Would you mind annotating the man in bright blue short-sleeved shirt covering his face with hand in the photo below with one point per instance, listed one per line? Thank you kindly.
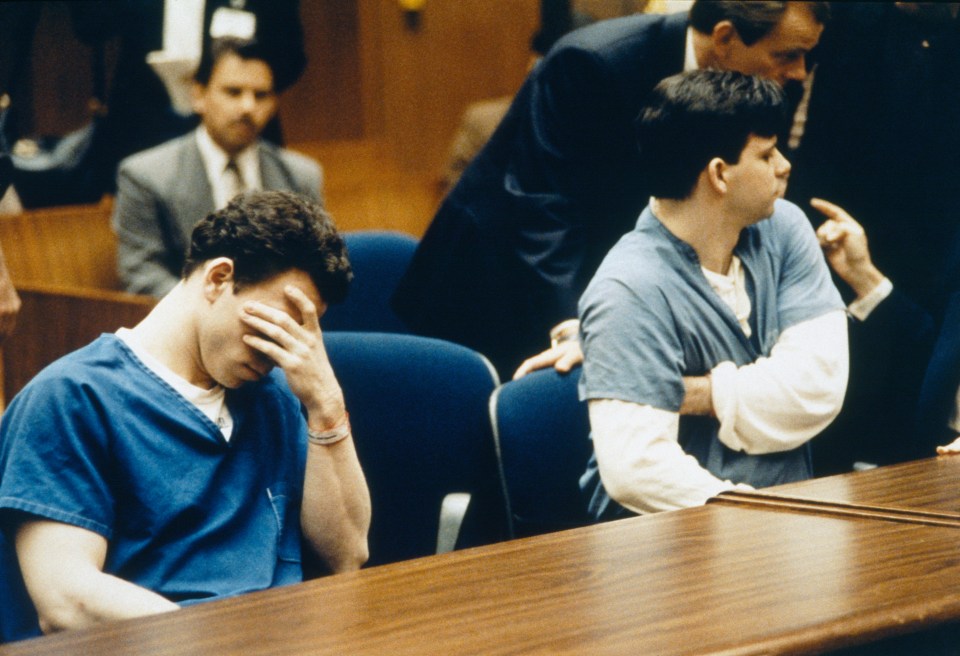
(171, 463)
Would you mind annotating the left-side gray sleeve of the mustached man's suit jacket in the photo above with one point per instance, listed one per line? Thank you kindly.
(142, 259)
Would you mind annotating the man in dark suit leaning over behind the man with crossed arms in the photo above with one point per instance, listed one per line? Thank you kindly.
(516, 241)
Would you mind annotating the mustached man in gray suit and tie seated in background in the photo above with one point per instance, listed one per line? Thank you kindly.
(162, 192)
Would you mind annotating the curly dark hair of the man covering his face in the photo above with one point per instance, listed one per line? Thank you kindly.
(266, 233)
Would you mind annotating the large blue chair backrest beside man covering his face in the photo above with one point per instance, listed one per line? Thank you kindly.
(418, 407)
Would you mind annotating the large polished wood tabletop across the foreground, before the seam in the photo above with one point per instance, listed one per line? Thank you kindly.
(719, 579)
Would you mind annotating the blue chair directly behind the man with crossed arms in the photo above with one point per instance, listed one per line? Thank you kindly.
(542, 432)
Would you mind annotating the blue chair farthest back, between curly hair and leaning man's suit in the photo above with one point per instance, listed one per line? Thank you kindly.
(379, 259)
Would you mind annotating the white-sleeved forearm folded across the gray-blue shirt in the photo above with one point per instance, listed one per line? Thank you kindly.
(779, 402)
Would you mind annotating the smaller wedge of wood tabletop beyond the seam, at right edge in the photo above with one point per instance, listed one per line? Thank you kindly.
(926, 491)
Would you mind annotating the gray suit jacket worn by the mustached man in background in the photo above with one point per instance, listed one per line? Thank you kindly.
(162, 192)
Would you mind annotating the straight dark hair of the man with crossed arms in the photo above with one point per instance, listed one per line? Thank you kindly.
(691, 118)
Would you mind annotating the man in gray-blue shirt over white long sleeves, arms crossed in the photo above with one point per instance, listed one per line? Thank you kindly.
(715, 343)
